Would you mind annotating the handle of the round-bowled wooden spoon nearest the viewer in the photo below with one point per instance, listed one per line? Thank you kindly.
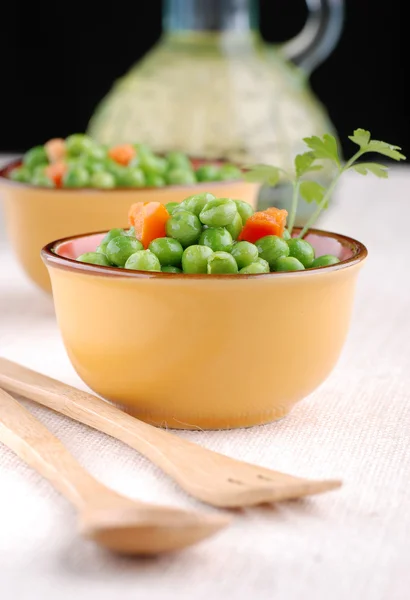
(32, 442)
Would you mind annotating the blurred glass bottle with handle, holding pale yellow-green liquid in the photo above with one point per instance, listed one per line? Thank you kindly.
(213, 88)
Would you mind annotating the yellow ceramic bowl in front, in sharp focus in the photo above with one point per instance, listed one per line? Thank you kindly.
(203, 351)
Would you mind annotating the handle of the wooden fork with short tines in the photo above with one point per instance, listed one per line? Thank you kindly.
(157, 445)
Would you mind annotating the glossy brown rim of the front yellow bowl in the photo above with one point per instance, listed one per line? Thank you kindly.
(52, 259)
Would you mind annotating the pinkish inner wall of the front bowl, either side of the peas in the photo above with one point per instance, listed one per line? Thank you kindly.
(322, 243)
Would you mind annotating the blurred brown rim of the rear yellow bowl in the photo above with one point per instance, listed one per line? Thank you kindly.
(201, 185)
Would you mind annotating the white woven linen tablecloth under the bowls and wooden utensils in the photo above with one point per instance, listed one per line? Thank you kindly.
(347, 544)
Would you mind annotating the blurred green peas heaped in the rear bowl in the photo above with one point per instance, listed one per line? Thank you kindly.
(90, 166)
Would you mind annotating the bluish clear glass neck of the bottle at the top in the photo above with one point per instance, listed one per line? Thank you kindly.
(210, 16)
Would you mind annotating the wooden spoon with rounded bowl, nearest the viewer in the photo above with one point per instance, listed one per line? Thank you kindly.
(114, 521)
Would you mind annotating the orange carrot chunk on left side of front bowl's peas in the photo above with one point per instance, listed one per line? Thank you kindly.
(149, 220)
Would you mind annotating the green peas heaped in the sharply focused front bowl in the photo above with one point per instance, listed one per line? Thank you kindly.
(202, 238)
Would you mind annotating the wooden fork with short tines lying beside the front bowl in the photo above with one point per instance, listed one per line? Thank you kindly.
(206, 475)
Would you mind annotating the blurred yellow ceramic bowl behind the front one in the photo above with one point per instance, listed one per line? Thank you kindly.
(35, 215)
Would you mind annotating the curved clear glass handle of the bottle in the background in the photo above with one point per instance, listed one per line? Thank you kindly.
(319, 36)
